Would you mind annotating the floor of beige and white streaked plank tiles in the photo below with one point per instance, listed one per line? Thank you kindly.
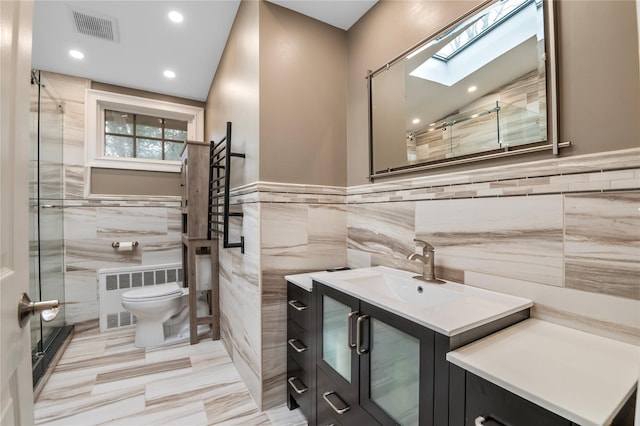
(103, 379)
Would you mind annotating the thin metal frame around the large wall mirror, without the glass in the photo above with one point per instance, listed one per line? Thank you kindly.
(552, 142)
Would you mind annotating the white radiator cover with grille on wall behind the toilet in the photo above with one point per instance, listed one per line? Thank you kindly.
(115, 281)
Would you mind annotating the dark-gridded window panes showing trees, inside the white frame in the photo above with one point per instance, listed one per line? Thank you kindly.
(143, 136)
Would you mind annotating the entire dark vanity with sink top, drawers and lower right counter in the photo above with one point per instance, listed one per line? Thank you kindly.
(376, 346)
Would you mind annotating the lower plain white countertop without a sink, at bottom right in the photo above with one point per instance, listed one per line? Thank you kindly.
(580, 376)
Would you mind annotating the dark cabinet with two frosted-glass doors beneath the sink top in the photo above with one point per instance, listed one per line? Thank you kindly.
(376, 367)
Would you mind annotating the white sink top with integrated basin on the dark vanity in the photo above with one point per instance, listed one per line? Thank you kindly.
(450, 308)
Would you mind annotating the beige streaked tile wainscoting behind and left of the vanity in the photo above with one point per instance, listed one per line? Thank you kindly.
(563, 232)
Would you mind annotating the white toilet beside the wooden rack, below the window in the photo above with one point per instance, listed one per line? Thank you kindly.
(162, 313)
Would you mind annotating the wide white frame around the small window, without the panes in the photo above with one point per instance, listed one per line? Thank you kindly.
(97, 101)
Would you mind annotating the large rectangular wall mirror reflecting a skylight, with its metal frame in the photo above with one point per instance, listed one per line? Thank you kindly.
(483, 87)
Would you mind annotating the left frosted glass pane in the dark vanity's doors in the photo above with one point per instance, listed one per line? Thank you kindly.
(335, 349)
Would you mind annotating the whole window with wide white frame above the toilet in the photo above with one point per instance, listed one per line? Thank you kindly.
(129, 132)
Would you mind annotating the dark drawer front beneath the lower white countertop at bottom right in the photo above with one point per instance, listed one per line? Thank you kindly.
(501, 407)
